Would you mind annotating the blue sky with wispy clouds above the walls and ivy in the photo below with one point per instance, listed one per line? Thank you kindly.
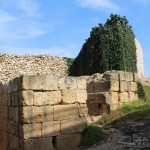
(60, 27)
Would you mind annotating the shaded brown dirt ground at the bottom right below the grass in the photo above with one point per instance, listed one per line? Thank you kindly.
(124, 128)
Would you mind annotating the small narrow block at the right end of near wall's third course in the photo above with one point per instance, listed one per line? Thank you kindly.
(83, 110)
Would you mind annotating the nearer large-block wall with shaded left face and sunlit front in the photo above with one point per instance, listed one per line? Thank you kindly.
(43, 112)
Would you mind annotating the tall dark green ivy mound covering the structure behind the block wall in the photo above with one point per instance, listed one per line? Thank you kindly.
(110, 47)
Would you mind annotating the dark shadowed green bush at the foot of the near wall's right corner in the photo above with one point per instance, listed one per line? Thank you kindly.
(94, 135)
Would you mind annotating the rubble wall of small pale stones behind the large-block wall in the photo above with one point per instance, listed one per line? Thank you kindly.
(14, 65)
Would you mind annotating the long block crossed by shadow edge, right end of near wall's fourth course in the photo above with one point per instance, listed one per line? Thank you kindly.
(73, 125)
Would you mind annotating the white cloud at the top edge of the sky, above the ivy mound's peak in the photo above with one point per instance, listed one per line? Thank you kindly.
(98, 4)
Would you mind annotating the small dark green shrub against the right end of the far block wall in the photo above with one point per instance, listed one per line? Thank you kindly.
(140, 91)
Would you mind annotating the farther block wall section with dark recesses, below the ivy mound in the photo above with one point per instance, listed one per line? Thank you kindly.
(108, 91)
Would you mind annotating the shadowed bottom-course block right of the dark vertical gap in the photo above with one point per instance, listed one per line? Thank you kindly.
(68, 142)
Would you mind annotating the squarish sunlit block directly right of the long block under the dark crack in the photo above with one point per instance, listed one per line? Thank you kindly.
(69, 96)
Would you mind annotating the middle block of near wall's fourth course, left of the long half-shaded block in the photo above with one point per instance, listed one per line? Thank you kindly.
(50, 128)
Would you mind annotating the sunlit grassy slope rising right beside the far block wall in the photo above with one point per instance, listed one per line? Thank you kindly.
(136, 110)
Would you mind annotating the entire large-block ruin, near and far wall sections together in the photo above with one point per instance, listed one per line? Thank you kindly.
(50, 112)
